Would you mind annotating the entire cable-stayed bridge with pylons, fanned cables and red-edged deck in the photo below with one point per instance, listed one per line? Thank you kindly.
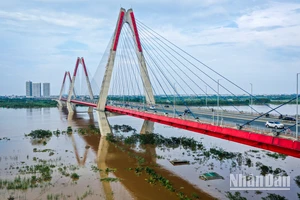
(149, 77)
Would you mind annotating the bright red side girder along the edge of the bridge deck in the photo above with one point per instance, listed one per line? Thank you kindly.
(277, 144)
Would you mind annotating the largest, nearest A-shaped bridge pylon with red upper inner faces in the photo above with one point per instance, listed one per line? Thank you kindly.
(125, 17)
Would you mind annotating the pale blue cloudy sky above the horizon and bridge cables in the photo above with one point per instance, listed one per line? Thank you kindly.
(250, 41)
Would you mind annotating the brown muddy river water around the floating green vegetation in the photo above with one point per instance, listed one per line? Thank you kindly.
(82, 154)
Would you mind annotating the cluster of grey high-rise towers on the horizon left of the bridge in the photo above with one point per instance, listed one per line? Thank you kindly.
(35, 89)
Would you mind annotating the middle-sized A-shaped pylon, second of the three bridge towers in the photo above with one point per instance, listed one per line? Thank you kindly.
(71, 89)
